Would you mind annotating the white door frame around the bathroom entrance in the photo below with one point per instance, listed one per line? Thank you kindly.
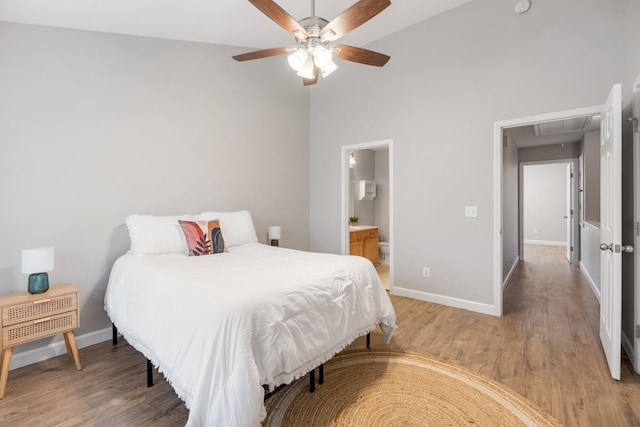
(346, 150)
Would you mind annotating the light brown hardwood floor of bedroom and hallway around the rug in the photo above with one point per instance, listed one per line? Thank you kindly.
(545, 347)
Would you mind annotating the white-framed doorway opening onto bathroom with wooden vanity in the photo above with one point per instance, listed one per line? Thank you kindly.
(367, 205)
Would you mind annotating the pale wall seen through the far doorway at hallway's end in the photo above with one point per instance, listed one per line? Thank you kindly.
(545, 203)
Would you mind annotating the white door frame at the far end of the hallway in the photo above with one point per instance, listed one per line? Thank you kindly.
(575, 229)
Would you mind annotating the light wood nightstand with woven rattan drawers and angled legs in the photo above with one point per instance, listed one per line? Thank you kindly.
(27, 317)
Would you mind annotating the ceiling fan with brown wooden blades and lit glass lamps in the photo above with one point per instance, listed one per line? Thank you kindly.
(315, 52)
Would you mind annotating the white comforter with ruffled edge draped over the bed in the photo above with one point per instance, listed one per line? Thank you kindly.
(219, 326)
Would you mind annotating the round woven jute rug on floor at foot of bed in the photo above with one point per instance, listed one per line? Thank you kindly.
(386, 388)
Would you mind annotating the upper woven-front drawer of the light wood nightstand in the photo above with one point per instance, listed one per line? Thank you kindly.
(19, 313)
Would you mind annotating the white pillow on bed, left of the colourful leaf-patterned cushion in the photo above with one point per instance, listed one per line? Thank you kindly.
(152, 235)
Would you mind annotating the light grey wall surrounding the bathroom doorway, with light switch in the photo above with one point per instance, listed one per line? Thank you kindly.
(449, 79)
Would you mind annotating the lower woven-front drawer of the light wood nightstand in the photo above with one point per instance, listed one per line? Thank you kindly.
(43, 327)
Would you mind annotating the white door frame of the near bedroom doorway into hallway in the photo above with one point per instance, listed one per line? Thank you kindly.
(498, 134)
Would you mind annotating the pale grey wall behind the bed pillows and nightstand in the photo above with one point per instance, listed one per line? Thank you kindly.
(96, 126)
